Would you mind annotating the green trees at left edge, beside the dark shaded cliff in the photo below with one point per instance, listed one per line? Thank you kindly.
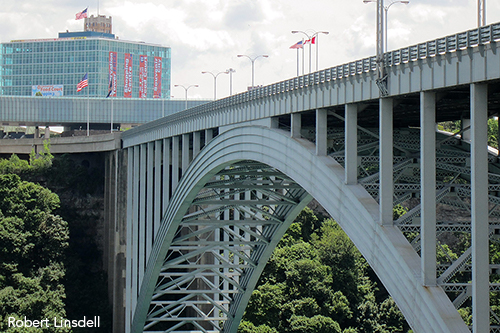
(32, 245)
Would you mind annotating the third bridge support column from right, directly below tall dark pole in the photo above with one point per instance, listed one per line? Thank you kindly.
(386, 160)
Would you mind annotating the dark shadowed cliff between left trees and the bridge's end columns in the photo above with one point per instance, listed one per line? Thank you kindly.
(78, 179)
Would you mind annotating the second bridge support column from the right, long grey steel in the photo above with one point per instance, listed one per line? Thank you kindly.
(428, 187)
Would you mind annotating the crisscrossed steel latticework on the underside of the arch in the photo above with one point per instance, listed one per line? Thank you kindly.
(219, 244)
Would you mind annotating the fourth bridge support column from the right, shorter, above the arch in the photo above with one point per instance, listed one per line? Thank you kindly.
(351, 144)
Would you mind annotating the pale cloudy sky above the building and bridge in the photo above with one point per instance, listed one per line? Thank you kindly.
(207, 35)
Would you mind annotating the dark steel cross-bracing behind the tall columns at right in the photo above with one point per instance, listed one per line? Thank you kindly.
(453, 192)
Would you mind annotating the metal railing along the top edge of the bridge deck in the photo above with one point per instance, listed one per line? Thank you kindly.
(440, 46)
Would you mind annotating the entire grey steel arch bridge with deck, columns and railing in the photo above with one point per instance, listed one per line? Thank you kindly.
(211, 190)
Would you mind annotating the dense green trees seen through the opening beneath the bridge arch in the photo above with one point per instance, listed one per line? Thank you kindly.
(317, 281)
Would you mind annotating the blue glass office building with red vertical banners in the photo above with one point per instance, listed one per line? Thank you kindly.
(64, 61)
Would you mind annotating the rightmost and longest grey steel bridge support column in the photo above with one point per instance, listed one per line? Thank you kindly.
(479, 209)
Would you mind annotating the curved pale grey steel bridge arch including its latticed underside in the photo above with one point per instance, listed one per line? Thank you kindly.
(427, 309)
